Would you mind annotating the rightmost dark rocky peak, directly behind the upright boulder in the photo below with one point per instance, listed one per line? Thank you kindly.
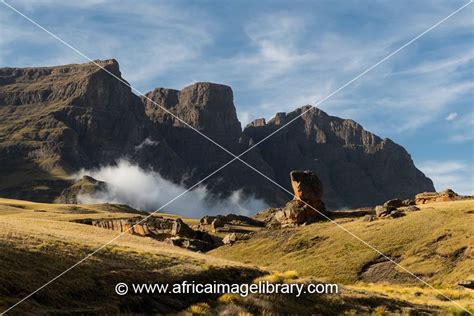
(356, 167)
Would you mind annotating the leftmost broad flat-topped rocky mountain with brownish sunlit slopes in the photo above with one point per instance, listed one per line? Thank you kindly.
(56, 120)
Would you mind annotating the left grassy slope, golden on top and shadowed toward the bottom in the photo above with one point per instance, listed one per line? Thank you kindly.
(37, 246)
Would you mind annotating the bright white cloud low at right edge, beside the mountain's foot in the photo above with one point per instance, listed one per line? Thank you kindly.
(452, 174)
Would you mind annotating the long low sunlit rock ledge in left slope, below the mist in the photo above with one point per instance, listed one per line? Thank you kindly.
(173, 231)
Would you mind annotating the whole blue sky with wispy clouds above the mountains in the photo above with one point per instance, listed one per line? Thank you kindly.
(279, 55)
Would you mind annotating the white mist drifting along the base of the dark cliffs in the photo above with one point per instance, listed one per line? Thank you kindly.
(129, 184)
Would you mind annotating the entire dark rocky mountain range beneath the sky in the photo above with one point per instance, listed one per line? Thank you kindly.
(56, 120)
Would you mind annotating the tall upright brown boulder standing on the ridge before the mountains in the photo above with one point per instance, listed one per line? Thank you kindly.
(306, 205)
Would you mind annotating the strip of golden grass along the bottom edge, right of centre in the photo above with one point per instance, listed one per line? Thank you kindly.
(352, 300)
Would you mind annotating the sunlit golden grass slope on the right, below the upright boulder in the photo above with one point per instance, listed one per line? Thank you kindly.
(435, 243)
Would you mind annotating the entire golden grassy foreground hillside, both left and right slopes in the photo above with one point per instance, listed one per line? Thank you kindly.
(38, 241)
